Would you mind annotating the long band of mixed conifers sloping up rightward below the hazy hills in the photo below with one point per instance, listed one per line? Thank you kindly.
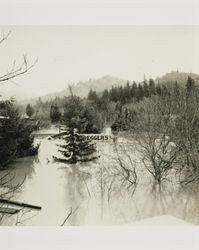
(110, 108)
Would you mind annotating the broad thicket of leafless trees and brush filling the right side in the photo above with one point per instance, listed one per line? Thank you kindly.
(166, 127)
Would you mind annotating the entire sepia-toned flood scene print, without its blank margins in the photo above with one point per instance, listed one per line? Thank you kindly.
(99, 125)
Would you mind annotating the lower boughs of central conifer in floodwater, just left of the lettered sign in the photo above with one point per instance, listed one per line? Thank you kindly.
(76, 148)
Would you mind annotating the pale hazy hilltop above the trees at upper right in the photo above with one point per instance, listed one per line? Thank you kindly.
(176, 76)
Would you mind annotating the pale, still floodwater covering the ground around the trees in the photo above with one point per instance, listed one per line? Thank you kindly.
(94, 193)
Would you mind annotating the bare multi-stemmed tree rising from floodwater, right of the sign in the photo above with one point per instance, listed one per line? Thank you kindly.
(154, 136)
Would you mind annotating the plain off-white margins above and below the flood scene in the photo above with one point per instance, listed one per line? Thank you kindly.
(96, 12)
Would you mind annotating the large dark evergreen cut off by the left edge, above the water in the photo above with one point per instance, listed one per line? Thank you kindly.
(15, 136)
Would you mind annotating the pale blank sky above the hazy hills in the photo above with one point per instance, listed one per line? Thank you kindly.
(67, 54)
